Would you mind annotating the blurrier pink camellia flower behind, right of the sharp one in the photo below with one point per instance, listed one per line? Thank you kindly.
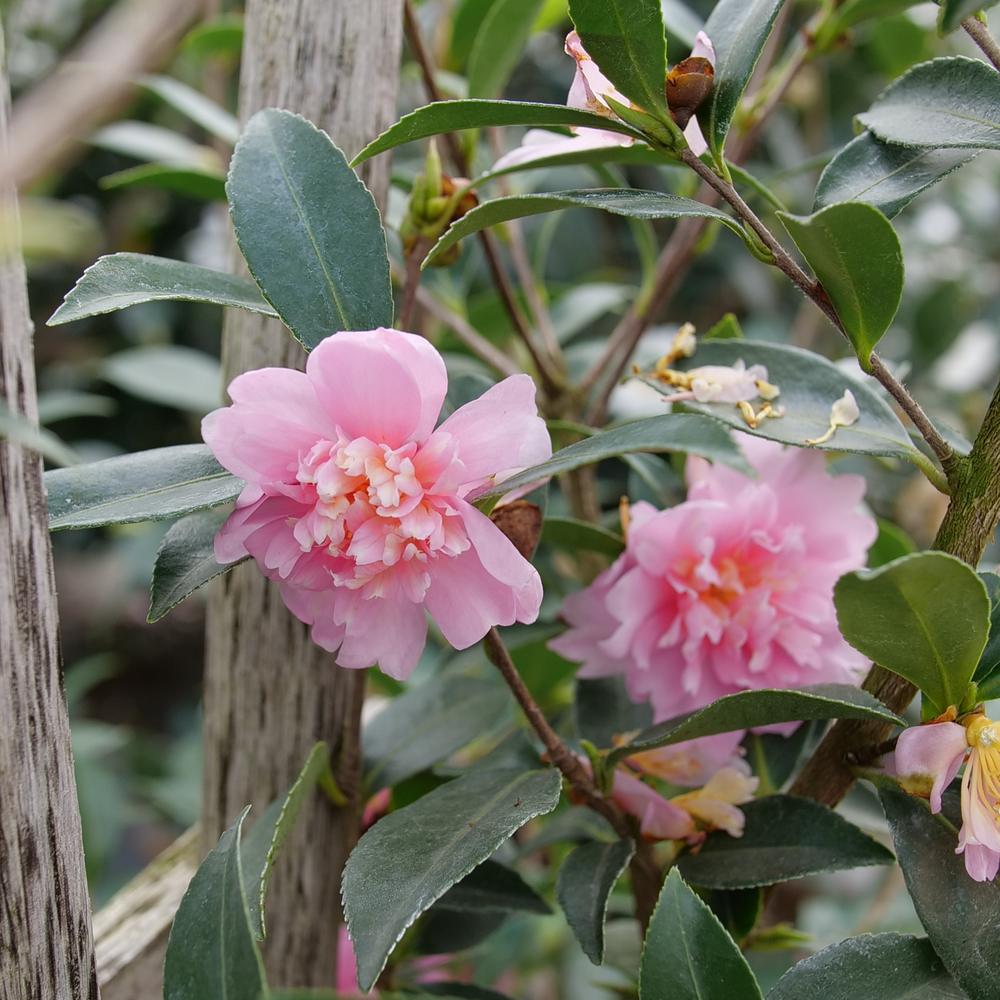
(730, 590)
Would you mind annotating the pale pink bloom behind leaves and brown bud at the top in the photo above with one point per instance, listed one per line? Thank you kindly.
(588, 92)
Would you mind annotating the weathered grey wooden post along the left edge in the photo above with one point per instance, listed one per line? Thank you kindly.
(46, 943)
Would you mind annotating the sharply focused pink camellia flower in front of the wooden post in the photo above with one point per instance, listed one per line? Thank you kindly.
(360, 507)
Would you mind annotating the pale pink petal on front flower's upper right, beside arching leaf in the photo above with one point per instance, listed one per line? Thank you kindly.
(485, 451)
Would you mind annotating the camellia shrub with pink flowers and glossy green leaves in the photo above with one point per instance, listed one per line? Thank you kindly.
(404, 509)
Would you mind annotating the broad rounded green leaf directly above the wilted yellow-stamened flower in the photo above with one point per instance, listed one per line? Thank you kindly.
(926, 617)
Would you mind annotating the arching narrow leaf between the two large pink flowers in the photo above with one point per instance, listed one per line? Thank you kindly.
(672, 432)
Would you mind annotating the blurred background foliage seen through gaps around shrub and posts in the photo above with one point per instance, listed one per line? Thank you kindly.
(151, 182)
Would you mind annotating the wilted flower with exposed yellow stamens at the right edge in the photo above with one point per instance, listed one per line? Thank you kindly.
(928, 758)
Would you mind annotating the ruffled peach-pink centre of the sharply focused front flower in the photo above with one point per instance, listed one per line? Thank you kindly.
(372, 511)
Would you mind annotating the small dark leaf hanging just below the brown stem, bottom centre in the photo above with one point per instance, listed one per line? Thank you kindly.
(583, 888)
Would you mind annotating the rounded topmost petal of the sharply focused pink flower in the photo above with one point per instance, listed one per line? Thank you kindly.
(383, 385)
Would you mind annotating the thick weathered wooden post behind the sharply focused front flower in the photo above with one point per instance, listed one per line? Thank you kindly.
(269, 692)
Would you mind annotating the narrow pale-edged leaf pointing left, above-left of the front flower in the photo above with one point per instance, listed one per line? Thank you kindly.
(126, 279)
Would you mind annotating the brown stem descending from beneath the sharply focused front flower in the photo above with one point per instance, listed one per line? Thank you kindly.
(646, 875)
